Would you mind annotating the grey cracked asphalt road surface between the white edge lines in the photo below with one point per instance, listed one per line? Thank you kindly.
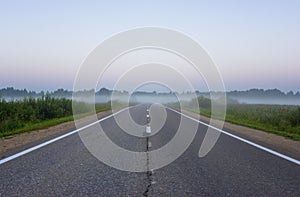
(232, 167)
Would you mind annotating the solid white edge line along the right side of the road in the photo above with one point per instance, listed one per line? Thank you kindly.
(243, 140)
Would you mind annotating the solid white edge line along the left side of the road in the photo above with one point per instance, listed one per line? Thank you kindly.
(56, 139)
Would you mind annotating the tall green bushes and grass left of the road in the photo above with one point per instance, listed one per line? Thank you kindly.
(38, 113)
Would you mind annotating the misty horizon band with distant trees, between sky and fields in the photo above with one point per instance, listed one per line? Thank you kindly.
(252, 96)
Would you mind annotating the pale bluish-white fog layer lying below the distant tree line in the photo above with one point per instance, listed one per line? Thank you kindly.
(243, 97)
